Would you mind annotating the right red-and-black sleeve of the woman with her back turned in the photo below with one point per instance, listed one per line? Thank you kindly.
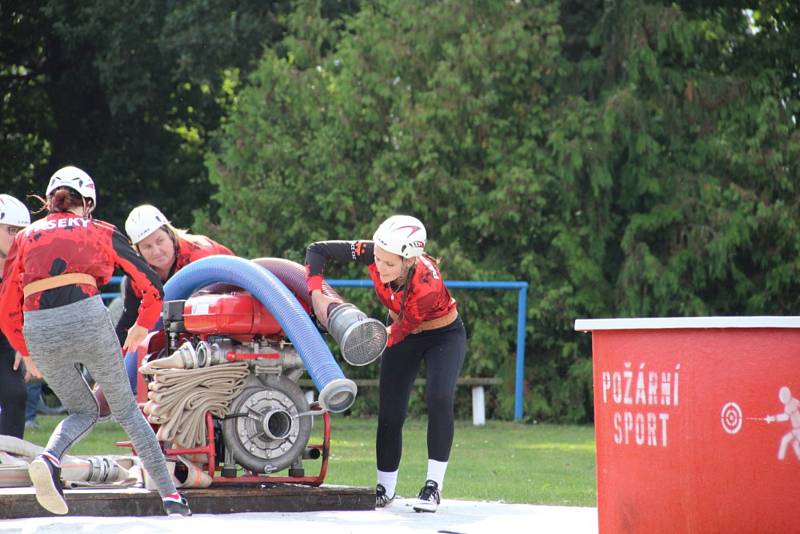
(146, 281)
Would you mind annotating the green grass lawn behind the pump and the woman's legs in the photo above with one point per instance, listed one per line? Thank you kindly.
(502, 461)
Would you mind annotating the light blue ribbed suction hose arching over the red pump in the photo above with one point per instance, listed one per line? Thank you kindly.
(336, 393)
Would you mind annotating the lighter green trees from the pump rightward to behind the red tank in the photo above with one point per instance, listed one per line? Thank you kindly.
(626, 159)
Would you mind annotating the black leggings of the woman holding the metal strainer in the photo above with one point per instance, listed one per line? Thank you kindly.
(443, 351)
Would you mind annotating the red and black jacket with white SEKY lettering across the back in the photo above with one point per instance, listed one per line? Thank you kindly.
(64, 243)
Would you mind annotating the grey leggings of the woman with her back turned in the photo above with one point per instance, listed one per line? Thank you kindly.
(59, 339)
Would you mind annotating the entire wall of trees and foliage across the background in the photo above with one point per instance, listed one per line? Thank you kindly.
(625, 158)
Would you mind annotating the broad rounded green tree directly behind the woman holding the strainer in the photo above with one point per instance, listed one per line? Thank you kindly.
(431, 109)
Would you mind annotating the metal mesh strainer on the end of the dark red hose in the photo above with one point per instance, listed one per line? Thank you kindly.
(360, 338)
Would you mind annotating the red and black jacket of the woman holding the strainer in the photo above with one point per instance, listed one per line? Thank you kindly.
(427, 298)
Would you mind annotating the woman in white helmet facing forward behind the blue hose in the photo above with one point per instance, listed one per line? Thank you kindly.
(166, 250)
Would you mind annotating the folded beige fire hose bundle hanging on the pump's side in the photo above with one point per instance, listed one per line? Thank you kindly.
(180, 398)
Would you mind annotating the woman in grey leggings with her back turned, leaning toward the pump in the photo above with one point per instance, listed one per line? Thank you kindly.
(51, 311)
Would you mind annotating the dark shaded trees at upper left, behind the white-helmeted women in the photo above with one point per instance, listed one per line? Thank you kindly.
(128, 91)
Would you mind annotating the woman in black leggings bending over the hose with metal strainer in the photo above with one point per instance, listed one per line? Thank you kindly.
(425, 326)
